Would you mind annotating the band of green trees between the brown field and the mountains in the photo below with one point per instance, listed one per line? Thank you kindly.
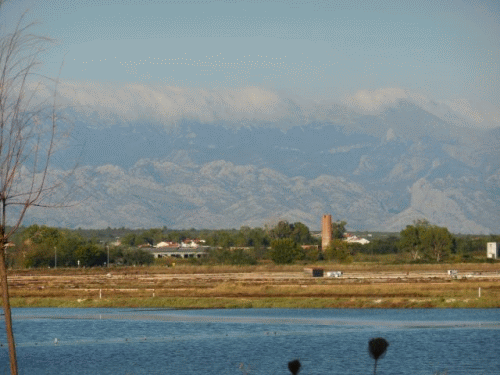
(285, 243)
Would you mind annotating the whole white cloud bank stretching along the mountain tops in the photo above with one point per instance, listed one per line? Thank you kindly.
(107, 103)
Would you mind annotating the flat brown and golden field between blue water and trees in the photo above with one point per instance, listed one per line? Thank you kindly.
(270, 286)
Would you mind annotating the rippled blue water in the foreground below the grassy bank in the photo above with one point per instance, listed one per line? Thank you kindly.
(253, 341)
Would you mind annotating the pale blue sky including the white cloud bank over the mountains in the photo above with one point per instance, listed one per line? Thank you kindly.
(175, 59)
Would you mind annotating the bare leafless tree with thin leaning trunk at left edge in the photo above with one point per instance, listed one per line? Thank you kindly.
(28, 130)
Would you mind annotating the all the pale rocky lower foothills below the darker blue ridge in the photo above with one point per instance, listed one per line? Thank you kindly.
(220, 194)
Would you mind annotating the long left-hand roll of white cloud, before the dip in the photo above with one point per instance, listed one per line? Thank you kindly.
(169, 104)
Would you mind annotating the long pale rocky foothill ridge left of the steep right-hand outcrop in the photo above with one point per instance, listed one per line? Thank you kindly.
(217, 194)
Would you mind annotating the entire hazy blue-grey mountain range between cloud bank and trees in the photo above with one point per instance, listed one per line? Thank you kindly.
(376, 170)
